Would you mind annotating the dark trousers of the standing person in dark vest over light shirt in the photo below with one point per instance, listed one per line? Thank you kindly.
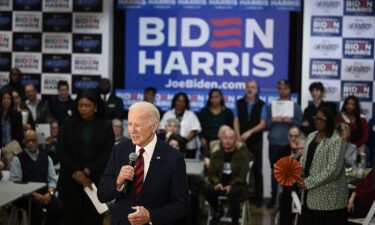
(256, 149)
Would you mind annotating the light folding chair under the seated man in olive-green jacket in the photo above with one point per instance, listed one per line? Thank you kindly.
(245, 207)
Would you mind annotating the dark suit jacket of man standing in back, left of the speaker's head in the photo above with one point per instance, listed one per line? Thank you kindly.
(114, 107)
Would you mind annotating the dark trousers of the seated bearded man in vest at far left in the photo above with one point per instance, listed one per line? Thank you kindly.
(54, 211)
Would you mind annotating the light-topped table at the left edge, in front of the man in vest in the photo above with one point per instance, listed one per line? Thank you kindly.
(10, 192)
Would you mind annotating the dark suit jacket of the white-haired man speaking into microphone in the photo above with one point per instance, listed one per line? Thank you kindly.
(165, 189)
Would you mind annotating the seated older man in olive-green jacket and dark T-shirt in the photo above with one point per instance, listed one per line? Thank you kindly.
(227, 176)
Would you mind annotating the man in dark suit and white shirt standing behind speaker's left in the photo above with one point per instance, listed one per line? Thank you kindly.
(113, 105)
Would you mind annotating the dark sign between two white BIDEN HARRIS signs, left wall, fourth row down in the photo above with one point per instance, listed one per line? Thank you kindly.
(53, 63)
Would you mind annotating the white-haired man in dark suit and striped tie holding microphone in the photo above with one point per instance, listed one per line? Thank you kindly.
(159, 193)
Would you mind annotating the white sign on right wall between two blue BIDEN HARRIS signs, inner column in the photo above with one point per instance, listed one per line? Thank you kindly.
(329, 47)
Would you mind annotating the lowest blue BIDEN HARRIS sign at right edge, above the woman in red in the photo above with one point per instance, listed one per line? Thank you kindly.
(360, 89)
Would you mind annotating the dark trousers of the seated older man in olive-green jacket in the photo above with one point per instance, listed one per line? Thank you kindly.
(233, 198)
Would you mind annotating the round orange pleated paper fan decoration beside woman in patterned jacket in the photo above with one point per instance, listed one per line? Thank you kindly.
(287, 171)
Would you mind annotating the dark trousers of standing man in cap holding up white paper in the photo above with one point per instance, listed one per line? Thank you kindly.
(275, 153)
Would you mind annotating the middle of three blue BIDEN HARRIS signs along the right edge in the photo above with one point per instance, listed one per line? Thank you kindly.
(358, 48)
